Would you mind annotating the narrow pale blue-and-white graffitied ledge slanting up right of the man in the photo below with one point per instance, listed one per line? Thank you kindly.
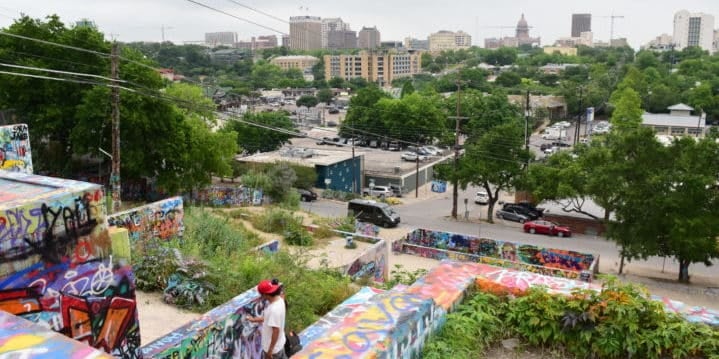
(321, 327)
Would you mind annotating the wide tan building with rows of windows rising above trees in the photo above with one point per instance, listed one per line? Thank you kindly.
(381, 68)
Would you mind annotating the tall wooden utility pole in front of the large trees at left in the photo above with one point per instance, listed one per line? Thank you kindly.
(115, 104)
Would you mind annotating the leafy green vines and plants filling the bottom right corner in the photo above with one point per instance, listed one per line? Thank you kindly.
(618, 322)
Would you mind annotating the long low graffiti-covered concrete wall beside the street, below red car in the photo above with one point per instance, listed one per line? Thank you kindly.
(549, 261)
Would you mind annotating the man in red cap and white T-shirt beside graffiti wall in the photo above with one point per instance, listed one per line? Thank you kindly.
(272, 319)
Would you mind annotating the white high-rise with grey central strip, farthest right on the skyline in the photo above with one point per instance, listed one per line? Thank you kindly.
(693, 29)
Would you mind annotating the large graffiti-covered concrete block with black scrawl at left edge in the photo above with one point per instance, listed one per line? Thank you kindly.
(56, 263)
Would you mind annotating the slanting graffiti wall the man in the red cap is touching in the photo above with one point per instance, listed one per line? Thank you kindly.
(223, 332)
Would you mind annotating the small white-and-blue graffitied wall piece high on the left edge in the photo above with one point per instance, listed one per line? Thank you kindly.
(15, 155)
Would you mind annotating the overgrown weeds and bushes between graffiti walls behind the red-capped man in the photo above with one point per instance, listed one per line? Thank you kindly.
(215, 261)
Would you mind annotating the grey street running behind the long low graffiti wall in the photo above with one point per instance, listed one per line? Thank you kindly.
(434, 213)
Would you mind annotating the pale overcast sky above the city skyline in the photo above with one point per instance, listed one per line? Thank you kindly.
(142, 20)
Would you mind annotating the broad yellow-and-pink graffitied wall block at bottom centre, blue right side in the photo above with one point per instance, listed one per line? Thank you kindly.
(392, 325)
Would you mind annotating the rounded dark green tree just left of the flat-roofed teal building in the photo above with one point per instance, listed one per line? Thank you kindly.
(254, 139)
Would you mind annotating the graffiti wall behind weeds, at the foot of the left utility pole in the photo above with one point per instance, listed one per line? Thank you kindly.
(159, 220)
